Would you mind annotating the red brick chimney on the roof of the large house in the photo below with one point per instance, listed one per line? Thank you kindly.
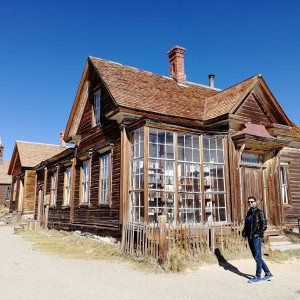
(176, 60)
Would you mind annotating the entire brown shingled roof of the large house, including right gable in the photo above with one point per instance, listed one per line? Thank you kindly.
(142, 91)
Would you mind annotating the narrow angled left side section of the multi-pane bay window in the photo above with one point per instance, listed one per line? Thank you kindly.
(137, 177)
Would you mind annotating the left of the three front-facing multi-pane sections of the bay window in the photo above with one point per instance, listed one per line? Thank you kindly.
(161, 177)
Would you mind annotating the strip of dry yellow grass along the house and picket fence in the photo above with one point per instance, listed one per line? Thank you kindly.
(72, 245)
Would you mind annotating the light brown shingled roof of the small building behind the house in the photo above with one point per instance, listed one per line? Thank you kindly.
(31, 154)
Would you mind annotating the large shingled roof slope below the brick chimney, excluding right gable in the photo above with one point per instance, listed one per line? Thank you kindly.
(136, 89)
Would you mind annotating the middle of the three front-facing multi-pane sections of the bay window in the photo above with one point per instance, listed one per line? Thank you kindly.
(189, 187)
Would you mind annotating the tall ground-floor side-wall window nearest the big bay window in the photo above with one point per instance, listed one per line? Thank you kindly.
(108, 179)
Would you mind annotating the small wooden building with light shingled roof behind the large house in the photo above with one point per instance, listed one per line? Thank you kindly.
(26, 155)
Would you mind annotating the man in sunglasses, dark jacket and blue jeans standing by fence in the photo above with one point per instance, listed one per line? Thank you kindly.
(255, 225)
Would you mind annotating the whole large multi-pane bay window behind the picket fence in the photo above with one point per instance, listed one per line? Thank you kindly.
(185, 173)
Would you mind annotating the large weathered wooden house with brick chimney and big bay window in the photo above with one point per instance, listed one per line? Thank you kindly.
(147, 145)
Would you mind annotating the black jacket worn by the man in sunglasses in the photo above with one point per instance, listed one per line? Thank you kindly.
(258, 224)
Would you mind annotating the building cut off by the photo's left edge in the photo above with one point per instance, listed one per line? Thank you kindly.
(5, 179)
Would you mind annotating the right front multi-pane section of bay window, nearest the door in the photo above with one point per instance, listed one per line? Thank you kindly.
(214, 179)
